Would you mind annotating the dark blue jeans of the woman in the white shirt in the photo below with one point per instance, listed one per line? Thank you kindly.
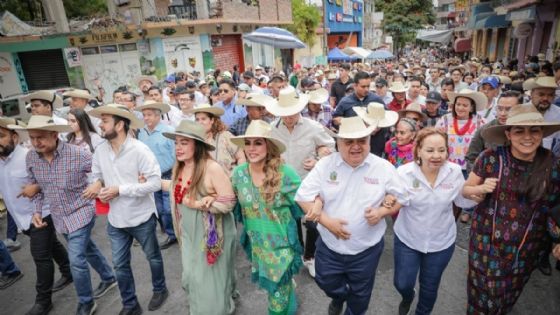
(431, 266)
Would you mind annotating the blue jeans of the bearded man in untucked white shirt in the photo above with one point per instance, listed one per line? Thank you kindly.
(121, 241)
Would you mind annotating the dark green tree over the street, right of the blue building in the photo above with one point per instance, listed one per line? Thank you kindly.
(402, 18)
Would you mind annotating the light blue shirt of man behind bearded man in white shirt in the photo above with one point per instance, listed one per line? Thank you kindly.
(162, 147)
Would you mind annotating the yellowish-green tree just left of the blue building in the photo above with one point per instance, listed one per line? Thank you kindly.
(306, 18)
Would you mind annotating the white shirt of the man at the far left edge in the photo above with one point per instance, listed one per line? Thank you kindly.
(13, 177)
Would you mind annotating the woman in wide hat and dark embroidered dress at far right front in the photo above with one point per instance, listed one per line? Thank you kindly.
(509, 234)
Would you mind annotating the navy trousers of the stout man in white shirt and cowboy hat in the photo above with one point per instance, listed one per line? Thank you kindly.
(347, 278)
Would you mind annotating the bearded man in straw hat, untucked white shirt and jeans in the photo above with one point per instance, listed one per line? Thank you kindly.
(117, 165)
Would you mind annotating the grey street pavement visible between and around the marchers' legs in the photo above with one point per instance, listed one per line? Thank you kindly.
(541, 295)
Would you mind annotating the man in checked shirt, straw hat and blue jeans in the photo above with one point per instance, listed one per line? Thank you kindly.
(61, 171)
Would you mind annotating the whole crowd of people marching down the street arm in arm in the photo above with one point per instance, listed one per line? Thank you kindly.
(258, 158)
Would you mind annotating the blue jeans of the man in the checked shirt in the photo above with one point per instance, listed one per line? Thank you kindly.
(81, 251)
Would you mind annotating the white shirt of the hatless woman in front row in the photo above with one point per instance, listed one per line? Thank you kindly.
(427, 223)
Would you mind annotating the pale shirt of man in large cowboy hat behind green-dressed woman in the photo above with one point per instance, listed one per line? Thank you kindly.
(302, 142)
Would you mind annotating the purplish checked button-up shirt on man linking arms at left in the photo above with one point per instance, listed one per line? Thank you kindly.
(62, 182)
